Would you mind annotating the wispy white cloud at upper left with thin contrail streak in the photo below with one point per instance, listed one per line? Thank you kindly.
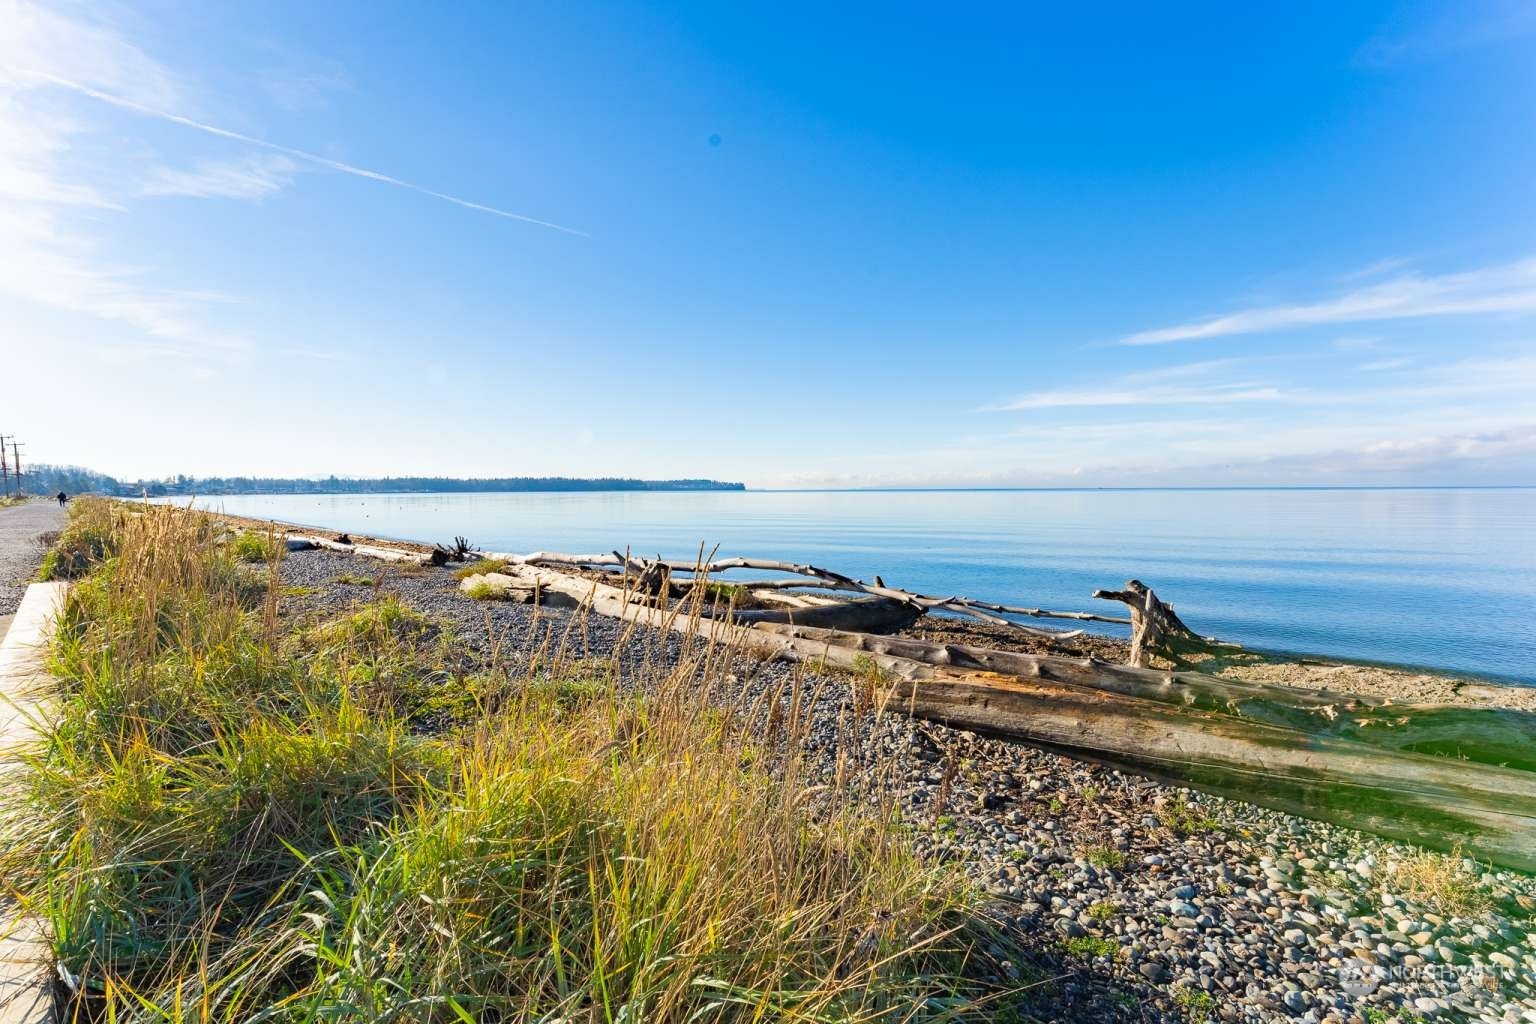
(55, 191)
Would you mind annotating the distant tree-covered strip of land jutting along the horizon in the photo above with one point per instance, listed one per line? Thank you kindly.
(48, 480)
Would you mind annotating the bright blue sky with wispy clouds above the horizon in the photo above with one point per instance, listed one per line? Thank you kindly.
(786, 245)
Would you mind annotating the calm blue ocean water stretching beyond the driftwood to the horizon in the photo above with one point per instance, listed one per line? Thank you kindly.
(1425, 578)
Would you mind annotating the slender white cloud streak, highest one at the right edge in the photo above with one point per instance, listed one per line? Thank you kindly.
(1501, 289)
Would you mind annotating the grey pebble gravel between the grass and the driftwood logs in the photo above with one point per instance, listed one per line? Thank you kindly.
(1140, 900)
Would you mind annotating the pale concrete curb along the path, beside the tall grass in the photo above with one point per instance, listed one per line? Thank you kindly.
(27, 988)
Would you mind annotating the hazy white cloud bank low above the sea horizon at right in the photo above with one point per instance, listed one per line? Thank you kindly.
(1454, 421)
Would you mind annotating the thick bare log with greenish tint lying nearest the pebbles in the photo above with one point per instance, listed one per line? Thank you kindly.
(1435, 802)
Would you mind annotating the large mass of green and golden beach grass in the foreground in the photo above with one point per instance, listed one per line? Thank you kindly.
(233, 821)
